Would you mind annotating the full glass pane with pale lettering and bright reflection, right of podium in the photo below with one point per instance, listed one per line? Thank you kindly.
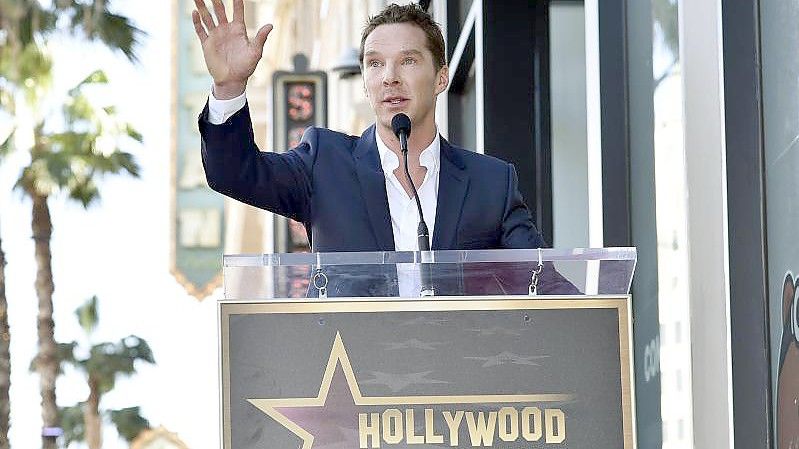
(658, 189)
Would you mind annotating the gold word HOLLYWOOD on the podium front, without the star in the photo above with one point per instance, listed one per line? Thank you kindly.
(394, 426)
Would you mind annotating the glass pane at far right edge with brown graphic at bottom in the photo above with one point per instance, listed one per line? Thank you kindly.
(780, 84)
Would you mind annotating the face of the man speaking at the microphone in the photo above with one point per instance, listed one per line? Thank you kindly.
(399, 74)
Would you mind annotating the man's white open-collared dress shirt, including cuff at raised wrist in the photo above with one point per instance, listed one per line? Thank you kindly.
(402, 207)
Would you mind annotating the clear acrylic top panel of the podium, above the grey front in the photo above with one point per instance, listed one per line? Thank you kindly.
(601, 271)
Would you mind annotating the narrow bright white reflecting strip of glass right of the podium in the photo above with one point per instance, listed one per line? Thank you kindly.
(671, 211)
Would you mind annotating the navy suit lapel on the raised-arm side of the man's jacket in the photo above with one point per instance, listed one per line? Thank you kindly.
(373, 189)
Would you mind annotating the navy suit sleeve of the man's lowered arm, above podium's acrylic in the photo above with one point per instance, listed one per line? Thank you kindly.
(518, 230)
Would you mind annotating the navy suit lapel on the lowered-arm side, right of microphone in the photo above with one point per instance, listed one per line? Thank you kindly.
(452, 186)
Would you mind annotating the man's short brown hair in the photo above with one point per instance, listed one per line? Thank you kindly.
(411, 13)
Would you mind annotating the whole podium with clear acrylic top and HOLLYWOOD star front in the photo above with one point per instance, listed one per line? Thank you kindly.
(515, 349)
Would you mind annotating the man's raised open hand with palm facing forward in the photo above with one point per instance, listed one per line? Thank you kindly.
(230, 55)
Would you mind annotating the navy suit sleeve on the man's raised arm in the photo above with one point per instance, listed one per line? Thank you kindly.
(279, 183)
